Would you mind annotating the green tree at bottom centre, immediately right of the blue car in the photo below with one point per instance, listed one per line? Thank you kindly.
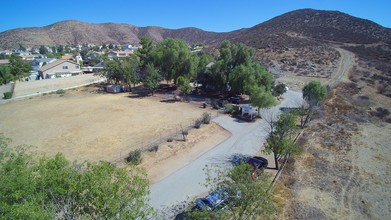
(248, 198)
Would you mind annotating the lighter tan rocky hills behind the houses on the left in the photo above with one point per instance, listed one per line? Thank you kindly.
(76, 32)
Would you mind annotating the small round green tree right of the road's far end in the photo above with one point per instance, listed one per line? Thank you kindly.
(261, 98)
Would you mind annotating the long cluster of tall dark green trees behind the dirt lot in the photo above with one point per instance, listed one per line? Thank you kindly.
(234, 71)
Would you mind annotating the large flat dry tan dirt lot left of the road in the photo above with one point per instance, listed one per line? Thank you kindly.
(84, 125)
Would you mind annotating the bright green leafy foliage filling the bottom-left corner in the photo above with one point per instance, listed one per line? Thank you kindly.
(55, 188)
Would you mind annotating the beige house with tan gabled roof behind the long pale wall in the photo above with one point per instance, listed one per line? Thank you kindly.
(59, 68)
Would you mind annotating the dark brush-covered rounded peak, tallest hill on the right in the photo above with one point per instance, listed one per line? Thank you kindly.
(308, 27)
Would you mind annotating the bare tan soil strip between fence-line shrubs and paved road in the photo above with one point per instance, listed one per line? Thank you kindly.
(172, 156)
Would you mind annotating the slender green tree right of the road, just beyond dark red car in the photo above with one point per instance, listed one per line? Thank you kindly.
(281, 138)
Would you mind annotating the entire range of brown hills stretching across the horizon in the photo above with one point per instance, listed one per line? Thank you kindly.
(296, 28)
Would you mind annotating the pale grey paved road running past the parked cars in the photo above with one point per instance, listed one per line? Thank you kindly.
(246, 138)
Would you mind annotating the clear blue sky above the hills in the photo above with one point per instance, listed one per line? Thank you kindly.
(211, 15)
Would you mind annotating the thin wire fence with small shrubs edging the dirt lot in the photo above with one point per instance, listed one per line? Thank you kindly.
(174, 134)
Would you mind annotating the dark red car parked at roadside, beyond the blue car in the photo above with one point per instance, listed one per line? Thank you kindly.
(258, 163)
